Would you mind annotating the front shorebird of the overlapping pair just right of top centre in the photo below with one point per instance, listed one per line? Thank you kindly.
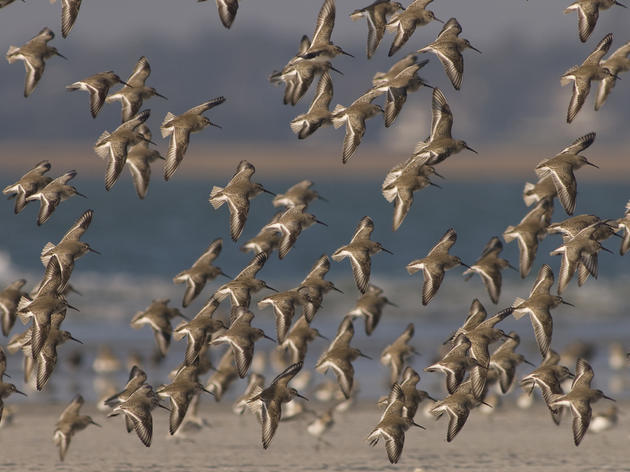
(401, 78)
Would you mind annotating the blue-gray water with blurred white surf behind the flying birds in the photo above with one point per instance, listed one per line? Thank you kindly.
(145, 243)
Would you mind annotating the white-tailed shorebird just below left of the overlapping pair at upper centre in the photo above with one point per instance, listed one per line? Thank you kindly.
(354, 117)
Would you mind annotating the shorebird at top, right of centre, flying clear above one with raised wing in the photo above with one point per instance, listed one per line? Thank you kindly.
(448, 47)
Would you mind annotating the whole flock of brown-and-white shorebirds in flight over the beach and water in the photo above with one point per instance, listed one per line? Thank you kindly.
(469, 365)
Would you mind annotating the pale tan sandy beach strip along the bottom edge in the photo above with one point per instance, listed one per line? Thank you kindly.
(508, 440)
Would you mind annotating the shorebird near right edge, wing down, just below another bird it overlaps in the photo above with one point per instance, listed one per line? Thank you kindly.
(581, 249)
